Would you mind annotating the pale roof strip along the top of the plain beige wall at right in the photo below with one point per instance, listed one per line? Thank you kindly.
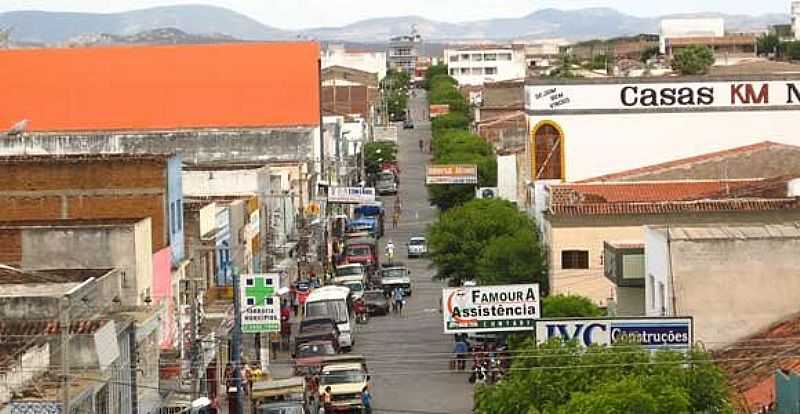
(731, 232)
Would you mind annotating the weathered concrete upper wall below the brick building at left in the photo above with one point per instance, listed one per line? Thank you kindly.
(124, 247)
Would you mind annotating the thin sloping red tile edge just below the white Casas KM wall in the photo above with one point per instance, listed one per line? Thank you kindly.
(688, 162)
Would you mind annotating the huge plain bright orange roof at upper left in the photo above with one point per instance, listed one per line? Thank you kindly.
(161, 87)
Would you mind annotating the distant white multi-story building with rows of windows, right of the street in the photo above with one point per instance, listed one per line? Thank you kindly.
(476, 65)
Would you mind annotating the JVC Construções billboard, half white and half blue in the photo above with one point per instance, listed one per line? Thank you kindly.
(651, 333)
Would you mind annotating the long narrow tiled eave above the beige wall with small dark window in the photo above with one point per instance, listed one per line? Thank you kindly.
(701, 206)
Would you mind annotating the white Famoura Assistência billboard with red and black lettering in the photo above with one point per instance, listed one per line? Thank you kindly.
(490, 308)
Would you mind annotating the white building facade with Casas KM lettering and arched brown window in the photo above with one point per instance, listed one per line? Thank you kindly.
(587, 128)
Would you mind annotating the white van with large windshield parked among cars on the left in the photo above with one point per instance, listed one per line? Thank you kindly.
(334, 302)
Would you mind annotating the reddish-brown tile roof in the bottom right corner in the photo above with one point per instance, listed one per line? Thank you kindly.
(752, 362)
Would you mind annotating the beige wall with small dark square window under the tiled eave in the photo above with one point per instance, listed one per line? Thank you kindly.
(588, 233)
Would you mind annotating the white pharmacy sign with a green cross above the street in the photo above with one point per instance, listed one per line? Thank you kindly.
(260, 303)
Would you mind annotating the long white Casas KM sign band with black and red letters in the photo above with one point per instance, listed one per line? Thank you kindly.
(711, 95)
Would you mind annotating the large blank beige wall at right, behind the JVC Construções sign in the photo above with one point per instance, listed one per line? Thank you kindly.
(735, 288)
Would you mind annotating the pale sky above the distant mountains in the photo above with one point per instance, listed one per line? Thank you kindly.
(293, 14)
